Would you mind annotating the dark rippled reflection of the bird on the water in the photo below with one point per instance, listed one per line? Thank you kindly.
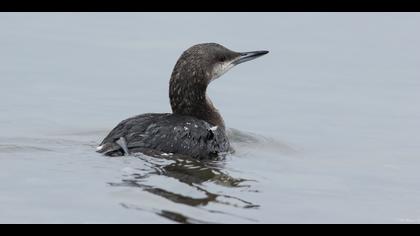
(191, 172)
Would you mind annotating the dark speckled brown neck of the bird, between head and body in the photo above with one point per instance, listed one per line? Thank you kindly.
(192, 100)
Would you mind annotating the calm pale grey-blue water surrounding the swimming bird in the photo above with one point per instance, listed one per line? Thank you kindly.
(326, 125)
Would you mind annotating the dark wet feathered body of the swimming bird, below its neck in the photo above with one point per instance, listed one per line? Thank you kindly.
(167, 133)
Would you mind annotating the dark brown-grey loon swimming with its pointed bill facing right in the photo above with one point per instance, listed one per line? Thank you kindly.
(195, 127)
